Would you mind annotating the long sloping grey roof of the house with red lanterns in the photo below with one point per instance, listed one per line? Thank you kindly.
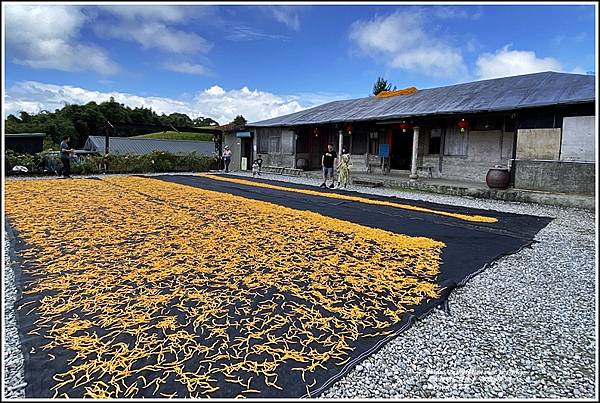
(507, 93)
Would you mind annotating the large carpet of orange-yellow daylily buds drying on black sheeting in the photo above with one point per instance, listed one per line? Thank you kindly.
(179, 271)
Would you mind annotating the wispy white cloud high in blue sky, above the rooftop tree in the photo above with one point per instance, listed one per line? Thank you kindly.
(401, 40)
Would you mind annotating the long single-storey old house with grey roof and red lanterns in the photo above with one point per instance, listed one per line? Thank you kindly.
(540, 125)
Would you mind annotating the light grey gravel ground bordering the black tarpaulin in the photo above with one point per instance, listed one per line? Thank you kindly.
(523, 328)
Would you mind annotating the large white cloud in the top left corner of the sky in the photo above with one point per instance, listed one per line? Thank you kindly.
(46, 37)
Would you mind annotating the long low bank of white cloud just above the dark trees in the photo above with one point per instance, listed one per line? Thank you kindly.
(215, 102)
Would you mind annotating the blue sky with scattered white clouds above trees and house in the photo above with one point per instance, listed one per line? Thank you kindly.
(263, 61)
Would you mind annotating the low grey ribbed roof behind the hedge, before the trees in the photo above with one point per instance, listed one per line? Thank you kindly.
(133, 146)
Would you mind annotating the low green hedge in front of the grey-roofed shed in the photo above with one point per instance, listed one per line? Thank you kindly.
(156, 161)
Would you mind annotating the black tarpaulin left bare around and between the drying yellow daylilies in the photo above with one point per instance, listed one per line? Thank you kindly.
(470, 247)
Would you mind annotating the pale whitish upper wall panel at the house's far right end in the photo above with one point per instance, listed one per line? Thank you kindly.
(578, 139)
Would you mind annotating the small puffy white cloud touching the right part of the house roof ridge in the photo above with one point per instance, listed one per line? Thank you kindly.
(506, 62)
